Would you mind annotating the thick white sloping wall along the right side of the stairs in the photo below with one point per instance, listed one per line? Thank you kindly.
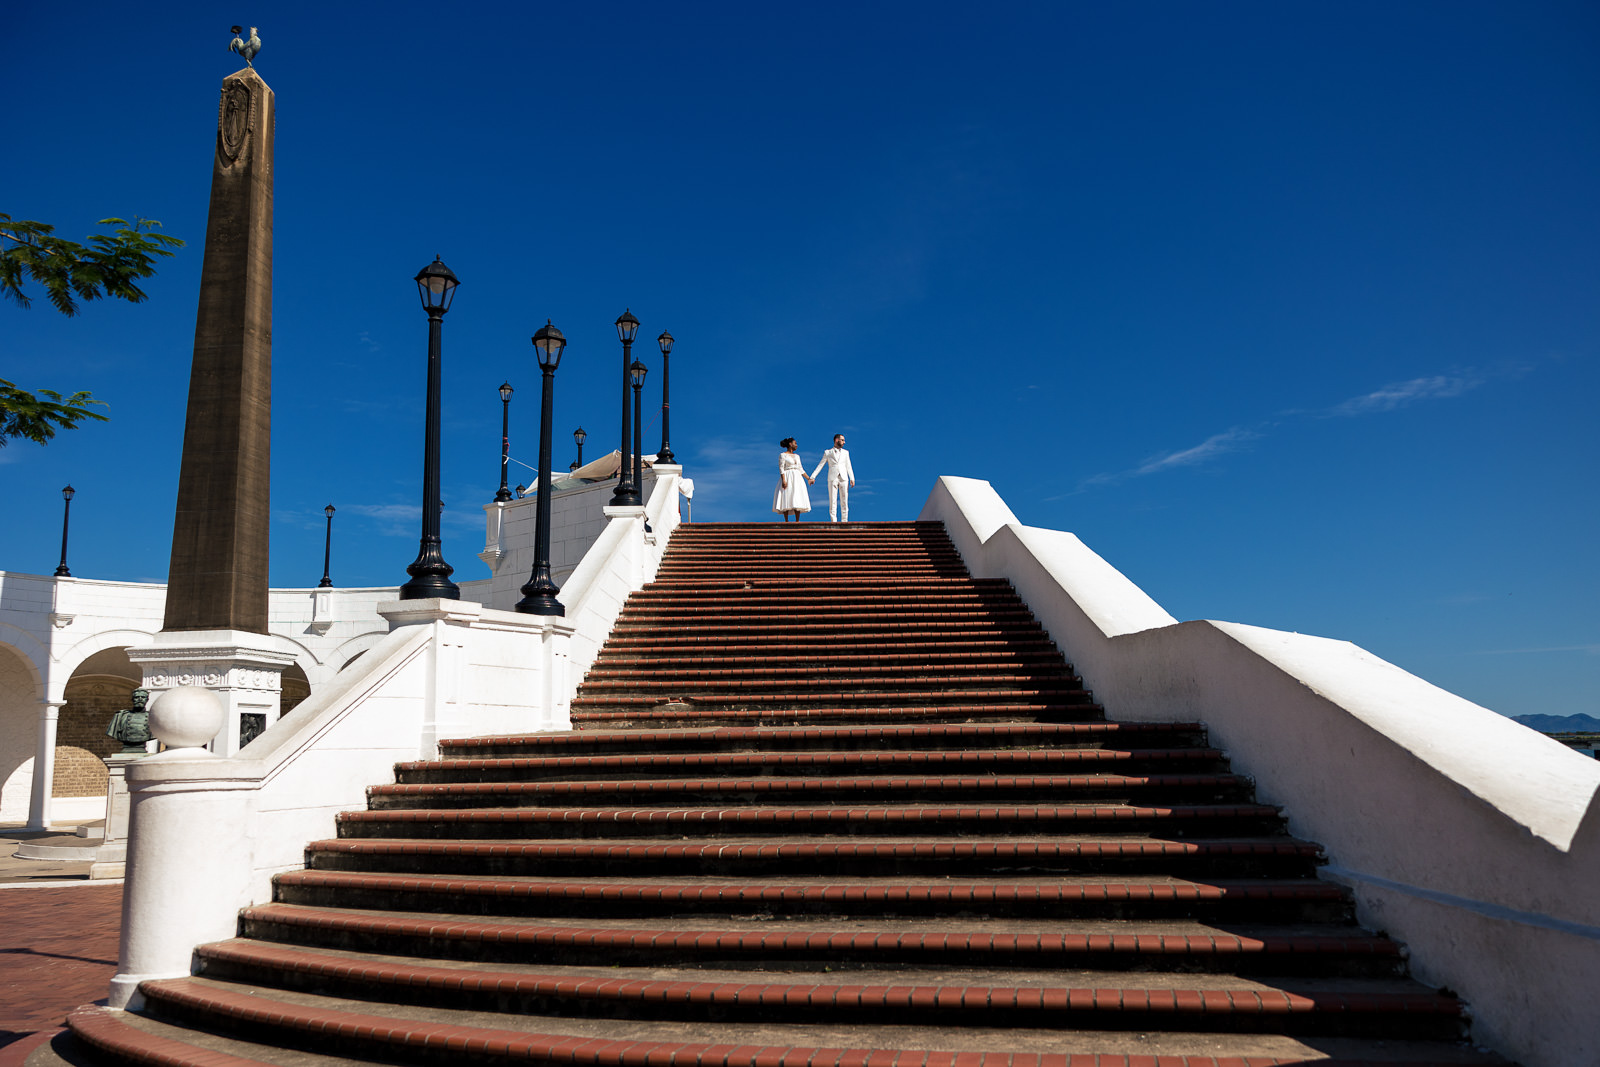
(1463, 834)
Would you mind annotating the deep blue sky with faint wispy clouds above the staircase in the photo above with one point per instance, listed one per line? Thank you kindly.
(1290, 311)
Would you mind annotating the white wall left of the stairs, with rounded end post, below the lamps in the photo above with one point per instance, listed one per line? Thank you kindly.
(207, 834)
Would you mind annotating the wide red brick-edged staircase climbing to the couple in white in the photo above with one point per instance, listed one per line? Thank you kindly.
(831, 802)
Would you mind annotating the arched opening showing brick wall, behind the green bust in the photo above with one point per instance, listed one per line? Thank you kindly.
(102, 685)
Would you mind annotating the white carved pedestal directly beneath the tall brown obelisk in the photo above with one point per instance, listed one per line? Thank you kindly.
(241, 668)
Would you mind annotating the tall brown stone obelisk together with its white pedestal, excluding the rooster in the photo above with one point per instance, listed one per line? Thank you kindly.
(215, 631)
